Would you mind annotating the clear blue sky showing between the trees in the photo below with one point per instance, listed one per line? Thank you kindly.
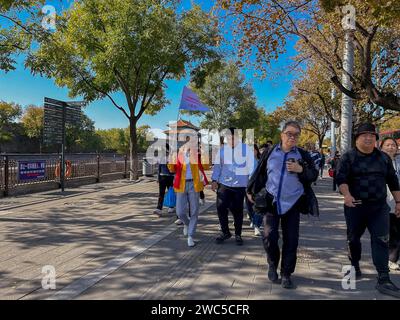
(21, 87)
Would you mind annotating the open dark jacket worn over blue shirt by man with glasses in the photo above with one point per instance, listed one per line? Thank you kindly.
(309, 202)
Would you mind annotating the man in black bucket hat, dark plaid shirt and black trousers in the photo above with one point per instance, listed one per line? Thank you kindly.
(362, 176)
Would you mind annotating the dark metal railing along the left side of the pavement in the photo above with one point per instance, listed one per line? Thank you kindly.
(82, 166)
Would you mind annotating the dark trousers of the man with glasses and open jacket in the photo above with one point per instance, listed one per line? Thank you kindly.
(290, 224)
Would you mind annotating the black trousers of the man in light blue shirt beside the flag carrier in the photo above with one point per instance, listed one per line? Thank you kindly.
(230, 199)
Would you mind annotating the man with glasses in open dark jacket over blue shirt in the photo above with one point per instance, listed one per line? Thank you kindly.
(281, 189)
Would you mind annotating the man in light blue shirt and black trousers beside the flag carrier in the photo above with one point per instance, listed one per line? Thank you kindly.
(234, 164)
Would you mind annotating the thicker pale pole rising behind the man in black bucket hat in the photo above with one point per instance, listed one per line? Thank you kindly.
(348, 23)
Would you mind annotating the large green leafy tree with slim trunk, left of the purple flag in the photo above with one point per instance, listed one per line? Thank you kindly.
(106, 46)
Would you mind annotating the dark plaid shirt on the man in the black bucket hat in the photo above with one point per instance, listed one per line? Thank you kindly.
(368, 175)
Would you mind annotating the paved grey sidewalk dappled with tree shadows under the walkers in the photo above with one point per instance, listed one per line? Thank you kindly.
(105, 243)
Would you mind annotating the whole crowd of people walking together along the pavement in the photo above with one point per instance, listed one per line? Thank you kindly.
(275, 182)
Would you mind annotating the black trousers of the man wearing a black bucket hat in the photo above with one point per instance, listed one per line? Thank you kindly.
(375, 217)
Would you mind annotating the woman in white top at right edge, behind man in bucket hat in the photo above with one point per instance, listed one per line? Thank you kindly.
(390, 147)
